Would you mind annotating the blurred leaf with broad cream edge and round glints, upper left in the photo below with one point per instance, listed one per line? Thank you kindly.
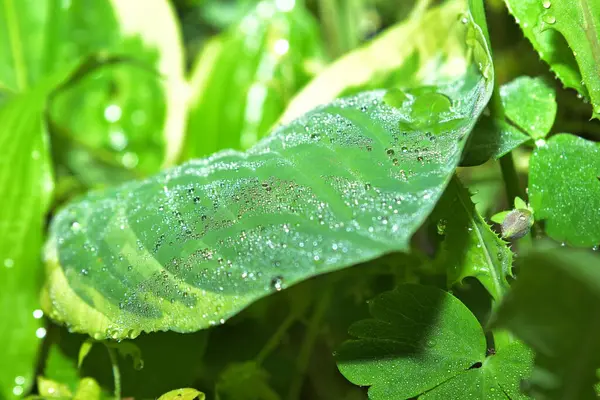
(124, 120)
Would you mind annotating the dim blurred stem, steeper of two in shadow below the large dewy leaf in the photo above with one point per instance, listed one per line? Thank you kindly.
(308, 344)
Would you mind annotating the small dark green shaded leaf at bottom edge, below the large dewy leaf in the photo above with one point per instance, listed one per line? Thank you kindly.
(244, 381)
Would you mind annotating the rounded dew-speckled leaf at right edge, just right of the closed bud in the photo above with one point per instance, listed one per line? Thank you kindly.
(564, 189)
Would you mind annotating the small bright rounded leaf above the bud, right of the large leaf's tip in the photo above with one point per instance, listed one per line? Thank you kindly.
(530, 103)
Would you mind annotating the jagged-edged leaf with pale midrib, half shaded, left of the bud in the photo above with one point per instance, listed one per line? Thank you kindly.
(470, 247)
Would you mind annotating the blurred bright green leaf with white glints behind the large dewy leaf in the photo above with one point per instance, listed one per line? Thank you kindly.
(243, 80)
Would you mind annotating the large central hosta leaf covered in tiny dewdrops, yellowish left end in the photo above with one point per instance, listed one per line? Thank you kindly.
(192, 246)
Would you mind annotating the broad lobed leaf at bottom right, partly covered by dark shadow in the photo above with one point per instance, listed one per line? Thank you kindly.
(423, 340)
